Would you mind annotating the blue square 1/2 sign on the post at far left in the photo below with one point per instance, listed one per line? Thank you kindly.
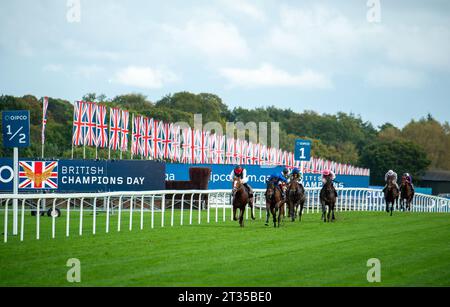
(16, 128)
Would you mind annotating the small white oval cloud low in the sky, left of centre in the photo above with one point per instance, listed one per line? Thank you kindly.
(144, 77)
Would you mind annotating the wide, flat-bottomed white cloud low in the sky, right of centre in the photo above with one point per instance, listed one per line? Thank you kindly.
(267, 75)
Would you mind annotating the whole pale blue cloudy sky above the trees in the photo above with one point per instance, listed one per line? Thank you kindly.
(316, 55)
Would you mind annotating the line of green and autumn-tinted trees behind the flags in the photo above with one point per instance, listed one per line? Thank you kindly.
(341, 137)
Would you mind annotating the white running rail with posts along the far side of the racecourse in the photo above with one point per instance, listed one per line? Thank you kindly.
(172, 207)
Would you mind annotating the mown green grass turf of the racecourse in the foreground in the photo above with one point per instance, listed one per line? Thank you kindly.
(414, 250)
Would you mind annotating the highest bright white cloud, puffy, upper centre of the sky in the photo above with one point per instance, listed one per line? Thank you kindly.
(214, 39)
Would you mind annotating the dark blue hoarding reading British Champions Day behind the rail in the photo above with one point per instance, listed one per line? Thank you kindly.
(83, 175)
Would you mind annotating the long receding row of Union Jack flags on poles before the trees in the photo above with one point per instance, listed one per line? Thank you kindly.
(153, 139)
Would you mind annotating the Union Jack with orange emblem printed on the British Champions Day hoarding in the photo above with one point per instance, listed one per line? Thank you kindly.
(38, 175)
